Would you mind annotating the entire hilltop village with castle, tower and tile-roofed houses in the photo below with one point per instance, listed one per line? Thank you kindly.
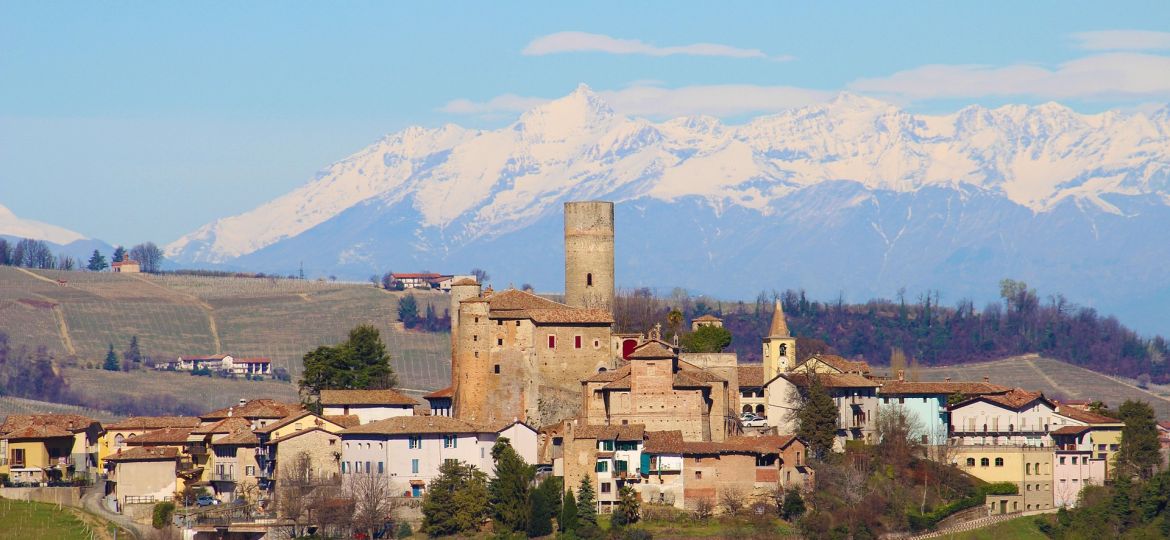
(630, 414)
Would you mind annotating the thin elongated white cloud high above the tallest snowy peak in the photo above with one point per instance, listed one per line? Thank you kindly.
(588, 43)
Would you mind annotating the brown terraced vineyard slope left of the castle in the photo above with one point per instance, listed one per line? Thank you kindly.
(80, 314)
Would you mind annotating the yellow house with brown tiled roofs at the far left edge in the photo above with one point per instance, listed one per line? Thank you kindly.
(47, 448)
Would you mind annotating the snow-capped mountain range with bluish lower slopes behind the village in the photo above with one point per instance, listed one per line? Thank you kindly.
(854, 196)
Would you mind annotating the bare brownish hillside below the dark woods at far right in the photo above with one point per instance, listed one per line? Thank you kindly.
(1055, 378)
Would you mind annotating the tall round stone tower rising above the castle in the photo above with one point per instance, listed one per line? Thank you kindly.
(589, 255)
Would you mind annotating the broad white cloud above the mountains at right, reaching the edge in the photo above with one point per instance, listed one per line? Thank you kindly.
(1119, 75)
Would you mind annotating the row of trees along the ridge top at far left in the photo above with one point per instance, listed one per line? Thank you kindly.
(36, 254)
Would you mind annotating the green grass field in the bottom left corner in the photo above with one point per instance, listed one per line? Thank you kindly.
(26, 521)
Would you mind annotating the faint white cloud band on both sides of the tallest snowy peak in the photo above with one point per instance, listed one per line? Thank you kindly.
(720, 100)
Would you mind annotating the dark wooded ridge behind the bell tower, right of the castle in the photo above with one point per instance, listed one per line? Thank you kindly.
(934, 335)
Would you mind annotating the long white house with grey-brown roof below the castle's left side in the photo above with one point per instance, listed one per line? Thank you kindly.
(409, 451)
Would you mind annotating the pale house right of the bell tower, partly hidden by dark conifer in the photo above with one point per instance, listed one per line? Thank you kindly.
(856, 398)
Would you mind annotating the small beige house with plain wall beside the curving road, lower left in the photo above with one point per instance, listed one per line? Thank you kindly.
(142, 475)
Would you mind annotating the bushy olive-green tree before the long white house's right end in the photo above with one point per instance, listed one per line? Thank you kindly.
(457, 501)
